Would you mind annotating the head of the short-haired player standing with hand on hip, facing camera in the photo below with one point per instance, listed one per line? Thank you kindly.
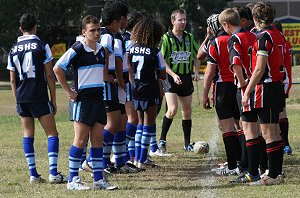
(91, 28)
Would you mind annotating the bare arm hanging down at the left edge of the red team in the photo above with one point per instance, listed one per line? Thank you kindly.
(208, 78)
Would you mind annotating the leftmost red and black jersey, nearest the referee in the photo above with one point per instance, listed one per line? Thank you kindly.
(218, 54)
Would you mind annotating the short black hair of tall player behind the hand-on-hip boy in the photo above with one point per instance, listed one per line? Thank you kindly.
(110, 13)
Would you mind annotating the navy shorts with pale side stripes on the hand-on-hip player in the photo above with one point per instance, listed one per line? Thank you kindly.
(88, 112)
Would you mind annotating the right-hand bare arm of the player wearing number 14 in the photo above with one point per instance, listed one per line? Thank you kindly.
(51, 84)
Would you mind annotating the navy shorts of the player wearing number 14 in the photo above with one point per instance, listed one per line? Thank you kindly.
(34, 110)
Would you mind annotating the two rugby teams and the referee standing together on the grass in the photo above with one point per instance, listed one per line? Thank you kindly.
(124, 66)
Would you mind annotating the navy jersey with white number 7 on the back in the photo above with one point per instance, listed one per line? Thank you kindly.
(144, 63)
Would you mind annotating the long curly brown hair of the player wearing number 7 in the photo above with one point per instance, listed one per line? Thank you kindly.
(147, 32)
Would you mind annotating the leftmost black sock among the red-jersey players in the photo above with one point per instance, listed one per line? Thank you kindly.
(231, 144)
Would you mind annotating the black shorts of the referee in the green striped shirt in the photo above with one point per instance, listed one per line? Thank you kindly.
(185, 89)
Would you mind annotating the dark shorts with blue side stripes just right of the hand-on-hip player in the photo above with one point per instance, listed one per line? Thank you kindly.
(110, 97)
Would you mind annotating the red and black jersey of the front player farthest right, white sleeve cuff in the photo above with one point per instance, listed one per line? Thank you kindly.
(271, 43)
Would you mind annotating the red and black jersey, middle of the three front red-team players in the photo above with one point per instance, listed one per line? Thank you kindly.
(240, 50)
